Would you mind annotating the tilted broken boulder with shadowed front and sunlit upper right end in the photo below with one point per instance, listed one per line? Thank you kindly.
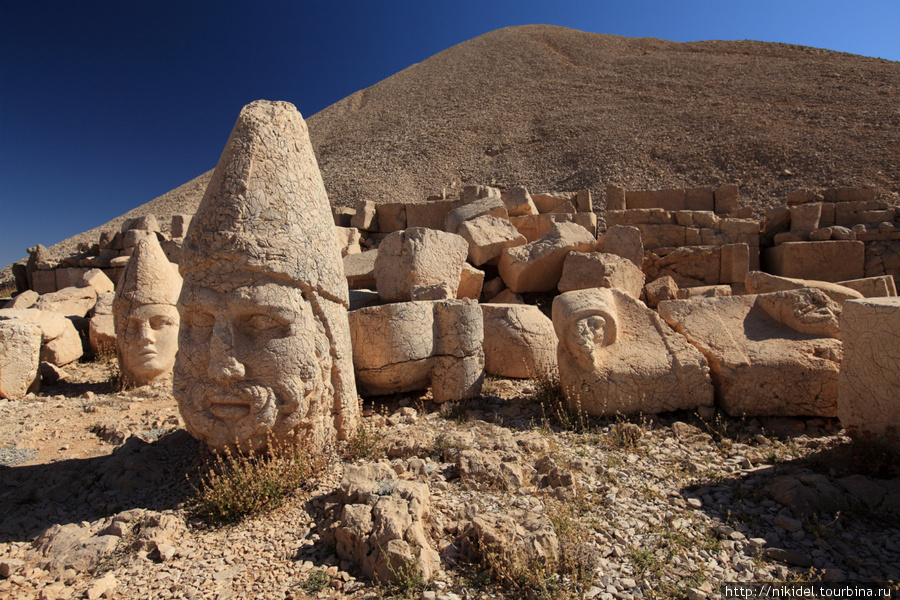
(537, 267)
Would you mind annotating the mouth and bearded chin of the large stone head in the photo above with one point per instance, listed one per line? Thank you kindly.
(244, 416)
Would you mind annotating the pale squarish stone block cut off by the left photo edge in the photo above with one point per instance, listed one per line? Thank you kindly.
(20, 349)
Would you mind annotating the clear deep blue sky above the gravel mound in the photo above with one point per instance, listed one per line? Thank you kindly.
(106, 105)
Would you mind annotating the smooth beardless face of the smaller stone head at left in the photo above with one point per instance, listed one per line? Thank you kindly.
(150, 341)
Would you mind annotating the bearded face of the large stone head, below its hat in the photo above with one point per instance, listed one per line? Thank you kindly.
(253, 363)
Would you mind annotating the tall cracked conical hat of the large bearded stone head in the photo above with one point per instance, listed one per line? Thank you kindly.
(266, 209)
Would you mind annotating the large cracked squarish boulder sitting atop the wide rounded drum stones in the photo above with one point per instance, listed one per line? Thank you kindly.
(418, 257)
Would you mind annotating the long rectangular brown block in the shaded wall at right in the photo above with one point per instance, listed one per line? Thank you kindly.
(826, 261)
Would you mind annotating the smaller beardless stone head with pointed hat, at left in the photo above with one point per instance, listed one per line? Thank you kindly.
(146, 317)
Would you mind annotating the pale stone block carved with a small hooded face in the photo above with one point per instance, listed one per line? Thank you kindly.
(617, 356)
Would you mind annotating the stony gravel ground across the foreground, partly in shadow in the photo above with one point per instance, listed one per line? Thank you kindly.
(96, 489)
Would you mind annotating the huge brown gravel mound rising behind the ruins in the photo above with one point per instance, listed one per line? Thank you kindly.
(559, 109)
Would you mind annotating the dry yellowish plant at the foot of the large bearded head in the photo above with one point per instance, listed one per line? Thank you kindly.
(237, 484)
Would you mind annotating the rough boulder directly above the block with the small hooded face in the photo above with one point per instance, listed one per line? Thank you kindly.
(583, 270)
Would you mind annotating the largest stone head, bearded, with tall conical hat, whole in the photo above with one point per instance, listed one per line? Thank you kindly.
(264, 348)
